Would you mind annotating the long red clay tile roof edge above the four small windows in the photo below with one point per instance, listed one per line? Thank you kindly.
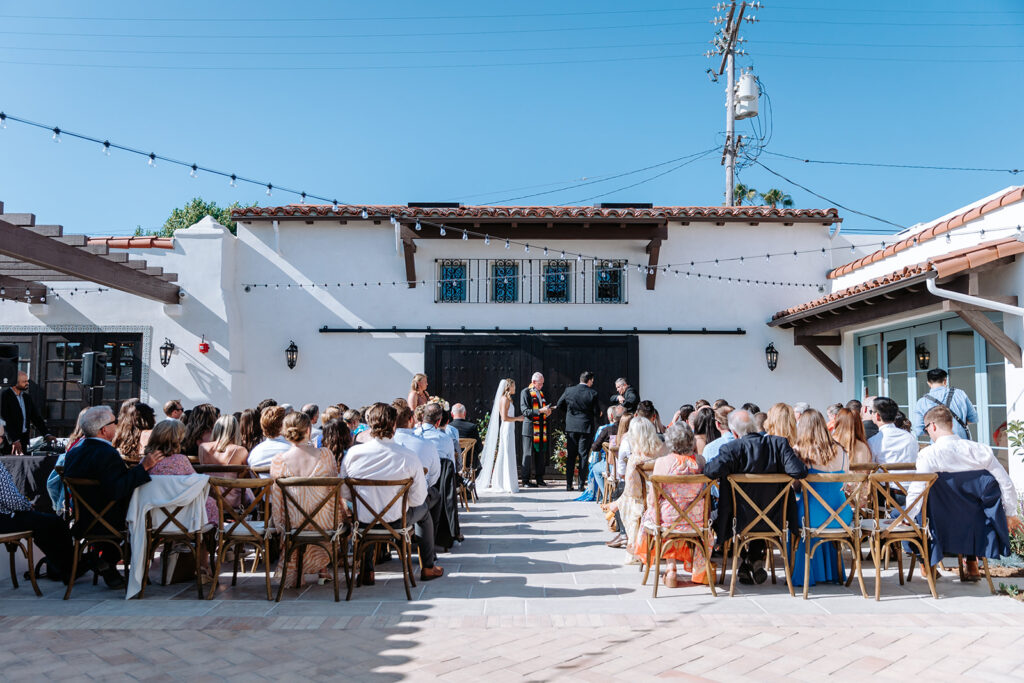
(542, 212)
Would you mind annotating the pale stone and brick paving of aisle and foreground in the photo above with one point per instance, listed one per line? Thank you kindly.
(533, 594)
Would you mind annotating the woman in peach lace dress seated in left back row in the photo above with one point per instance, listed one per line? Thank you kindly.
(303, 460)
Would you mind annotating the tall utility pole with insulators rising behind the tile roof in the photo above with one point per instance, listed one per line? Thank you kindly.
(726, 42)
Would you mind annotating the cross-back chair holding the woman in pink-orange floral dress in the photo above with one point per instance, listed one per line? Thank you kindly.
(692, 526)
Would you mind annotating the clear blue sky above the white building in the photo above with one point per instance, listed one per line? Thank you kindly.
(483, 103)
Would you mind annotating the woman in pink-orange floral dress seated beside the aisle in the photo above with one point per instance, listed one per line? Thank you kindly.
(681, 459)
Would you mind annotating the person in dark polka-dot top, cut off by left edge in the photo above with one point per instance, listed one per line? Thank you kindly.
(50, 533)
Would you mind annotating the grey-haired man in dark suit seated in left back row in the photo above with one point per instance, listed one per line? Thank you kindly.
(97, 459)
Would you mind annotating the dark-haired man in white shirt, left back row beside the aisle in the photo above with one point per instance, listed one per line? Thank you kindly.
(381, 458)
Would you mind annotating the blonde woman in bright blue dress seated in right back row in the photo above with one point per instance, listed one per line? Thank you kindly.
(823, 455)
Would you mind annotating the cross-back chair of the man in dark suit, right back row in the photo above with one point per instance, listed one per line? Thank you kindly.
(770, 532)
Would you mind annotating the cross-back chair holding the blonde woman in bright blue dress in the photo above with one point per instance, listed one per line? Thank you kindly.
(834, 529)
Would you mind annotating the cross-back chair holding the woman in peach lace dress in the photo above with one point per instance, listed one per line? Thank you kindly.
(303, 530)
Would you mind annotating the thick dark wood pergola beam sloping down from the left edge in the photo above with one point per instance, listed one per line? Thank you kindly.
(45, 252)
